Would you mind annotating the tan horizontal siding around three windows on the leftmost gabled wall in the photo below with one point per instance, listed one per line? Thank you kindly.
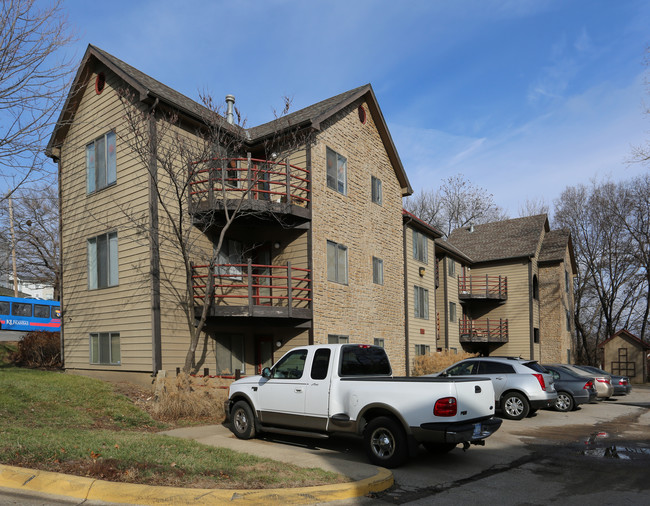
(120, 308)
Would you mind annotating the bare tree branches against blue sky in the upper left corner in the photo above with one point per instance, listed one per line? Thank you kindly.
(33, 81)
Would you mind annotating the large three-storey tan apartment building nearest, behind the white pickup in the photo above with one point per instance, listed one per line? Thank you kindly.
(314, 254)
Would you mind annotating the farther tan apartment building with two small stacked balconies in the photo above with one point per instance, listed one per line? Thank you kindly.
(501, 288)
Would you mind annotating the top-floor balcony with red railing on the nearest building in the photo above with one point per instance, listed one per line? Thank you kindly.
(251, 184)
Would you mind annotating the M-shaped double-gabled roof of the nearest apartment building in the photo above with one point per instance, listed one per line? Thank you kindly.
(149, 90)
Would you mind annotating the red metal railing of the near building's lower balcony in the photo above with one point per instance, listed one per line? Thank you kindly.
(255, 285)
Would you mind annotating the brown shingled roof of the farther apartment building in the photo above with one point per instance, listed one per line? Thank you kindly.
(501, 240)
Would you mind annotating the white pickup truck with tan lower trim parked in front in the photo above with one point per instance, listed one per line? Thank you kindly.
(320, 390)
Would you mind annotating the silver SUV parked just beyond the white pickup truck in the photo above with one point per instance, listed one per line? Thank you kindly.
(521, 387)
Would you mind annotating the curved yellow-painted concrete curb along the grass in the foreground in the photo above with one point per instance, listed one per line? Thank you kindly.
(78, 487)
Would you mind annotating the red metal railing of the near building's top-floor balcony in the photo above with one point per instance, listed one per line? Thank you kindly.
(248, 178)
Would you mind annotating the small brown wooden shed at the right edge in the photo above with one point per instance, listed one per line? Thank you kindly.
(625, 354)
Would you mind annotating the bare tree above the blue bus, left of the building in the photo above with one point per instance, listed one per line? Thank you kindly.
(36, 227)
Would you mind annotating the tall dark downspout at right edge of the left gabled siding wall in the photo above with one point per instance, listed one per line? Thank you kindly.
(154, 246)
